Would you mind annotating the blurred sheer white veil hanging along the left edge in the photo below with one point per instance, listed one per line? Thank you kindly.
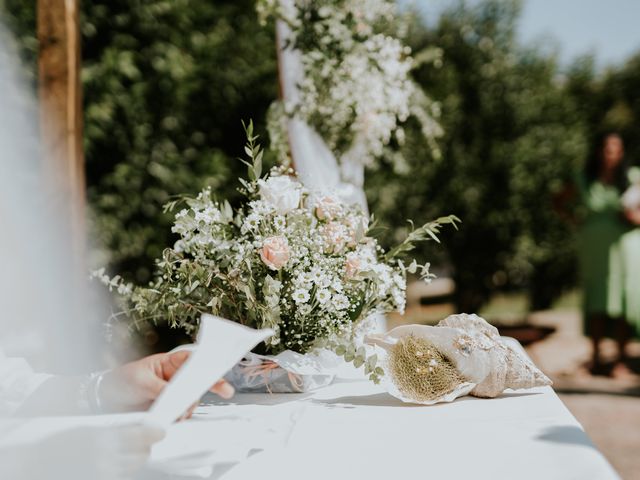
(43, 314)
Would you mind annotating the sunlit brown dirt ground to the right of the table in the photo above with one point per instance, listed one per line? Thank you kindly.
(608, 409)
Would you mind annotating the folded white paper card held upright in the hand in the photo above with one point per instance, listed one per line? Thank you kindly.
(221, 344)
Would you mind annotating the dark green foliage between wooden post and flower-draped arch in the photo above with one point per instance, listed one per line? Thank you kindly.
(166, 84)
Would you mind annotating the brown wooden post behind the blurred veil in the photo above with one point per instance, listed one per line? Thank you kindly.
(61, 114)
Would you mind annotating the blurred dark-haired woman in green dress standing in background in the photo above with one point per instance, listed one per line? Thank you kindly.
(599, 255)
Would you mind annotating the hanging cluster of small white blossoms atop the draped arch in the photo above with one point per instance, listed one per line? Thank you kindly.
(357, 93)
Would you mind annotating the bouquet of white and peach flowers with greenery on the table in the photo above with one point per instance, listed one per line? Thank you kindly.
(302, 263)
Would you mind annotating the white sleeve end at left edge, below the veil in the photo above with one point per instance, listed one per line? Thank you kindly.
(17, 382)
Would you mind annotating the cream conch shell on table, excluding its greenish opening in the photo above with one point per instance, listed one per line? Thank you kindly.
(487, 363)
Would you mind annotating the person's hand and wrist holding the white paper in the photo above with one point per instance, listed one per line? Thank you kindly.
(135, 385)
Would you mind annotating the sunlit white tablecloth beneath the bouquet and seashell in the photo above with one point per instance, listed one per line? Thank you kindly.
(352, 429)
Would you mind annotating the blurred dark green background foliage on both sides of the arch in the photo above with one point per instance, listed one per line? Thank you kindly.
(166, 84)
